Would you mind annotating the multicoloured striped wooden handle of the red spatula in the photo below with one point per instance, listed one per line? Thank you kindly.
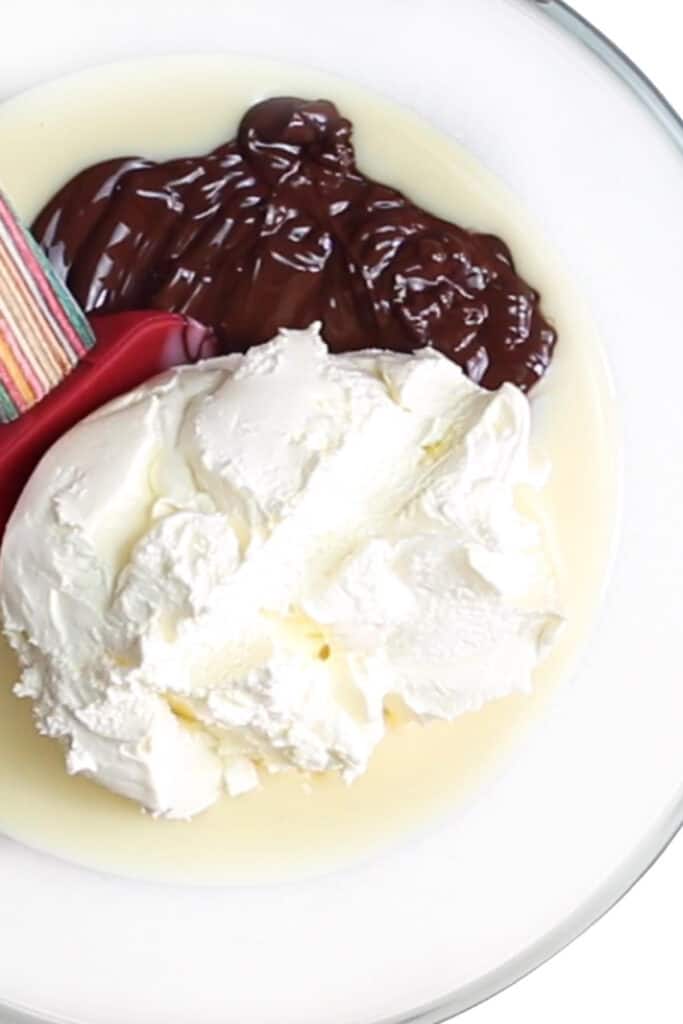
(44, 332)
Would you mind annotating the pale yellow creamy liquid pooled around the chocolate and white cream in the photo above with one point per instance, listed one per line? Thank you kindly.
(419, 775)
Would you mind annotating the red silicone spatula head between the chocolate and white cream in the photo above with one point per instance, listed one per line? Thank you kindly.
(130, 350)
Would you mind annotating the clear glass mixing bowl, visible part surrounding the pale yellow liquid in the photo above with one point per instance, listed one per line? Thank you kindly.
(444, 922)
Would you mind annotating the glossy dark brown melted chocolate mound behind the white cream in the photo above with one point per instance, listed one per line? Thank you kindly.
(279, 229)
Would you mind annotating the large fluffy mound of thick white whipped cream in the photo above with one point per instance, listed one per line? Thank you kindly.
(240, 567)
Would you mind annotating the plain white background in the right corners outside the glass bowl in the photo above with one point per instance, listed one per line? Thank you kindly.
(628, 967)
